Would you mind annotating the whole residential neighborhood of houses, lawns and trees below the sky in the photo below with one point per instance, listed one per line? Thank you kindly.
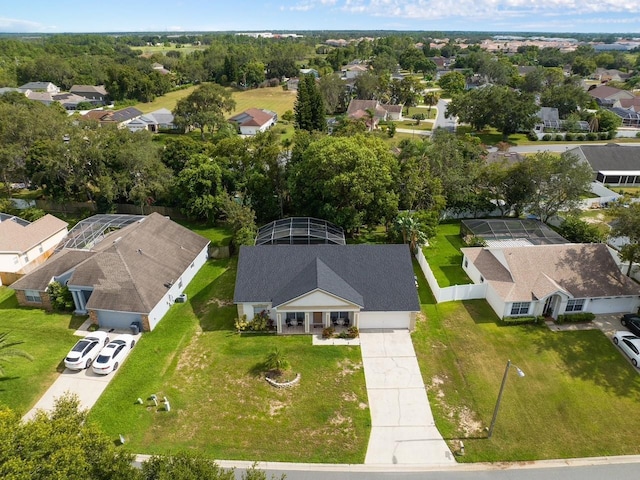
(336, 243)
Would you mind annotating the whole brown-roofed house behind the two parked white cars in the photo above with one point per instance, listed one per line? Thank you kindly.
(132, 276)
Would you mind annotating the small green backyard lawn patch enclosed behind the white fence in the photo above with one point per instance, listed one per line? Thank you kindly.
(444, 257)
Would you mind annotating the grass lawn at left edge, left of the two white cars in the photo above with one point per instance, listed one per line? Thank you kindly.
(47, 338)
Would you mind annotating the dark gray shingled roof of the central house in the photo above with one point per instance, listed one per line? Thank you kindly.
(377, 277)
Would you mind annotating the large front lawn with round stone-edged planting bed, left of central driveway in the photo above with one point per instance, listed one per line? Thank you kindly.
(221, 406)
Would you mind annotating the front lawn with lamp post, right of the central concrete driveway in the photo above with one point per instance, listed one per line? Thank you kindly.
(579, 397)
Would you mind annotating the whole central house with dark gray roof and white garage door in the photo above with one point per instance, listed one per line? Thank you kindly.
(372, 286)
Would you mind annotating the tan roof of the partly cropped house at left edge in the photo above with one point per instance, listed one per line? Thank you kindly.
(20, 237)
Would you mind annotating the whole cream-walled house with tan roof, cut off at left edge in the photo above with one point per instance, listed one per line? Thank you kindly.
(25, 245)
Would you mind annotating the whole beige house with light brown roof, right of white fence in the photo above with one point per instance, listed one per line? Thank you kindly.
(551, 280)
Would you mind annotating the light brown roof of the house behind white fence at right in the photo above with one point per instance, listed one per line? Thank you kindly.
(523, 274)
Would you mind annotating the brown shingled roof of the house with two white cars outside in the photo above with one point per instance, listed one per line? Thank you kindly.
(133, 266)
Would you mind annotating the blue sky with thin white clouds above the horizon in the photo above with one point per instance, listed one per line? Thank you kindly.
(608, 16)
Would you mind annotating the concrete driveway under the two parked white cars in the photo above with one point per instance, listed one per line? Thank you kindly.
(87, 385)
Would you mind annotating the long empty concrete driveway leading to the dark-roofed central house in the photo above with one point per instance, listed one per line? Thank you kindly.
(402, 427)
